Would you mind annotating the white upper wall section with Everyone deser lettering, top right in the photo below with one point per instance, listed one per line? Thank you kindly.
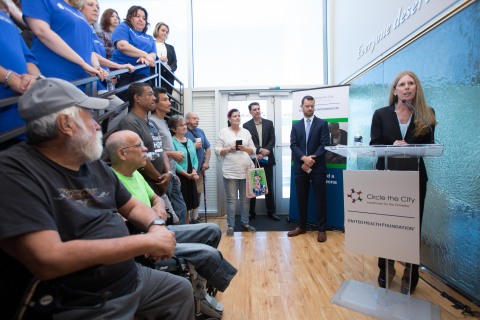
(361, 32)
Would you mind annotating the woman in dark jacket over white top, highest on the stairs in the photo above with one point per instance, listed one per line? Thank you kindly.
(166, 54)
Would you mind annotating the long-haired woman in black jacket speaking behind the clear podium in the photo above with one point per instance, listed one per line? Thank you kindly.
(406, 120)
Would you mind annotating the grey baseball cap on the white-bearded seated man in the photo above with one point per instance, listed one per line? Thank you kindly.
(50, 95)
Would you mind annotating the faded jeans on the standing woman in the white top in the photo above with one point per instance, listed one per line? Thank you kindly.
(235, 192)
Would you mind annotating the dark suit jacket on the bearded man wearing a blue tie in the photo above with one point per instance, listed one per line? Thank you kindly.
(318, 139)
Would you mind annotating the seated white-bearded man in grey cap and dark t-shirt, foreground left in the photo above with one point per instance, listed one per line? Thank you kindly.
(60, 222)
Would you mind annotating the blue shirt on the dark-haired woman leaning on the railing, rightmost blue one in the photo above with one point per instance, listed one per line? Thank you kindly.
(139, 40)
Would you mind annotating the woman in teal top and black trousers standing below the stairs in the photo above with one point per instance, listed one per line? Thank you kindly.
(186, 169)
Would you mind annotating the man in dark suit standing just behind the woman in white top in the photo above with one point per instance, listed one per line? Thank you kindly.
(263, 136)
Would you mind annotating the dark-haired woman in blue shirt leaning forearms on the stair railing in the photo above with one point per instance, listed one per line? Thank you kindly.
(133, 45)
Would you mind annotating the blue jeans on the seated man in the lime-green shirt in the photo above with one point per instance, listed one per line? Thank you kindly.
(197, 244)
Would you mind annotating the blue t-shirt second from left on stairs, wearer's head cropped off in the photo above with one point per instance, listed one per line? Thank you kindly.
(70, 25)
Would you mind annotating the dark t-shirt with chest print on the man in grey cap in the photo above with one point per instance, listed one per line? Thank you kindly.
(38, 194)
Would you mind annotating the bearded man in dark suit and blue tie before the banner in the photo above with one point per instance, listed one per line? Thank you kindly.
(308, 140)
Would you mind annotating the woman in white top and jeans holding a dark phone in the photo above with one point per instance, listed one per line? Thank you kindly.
(235, 146)
